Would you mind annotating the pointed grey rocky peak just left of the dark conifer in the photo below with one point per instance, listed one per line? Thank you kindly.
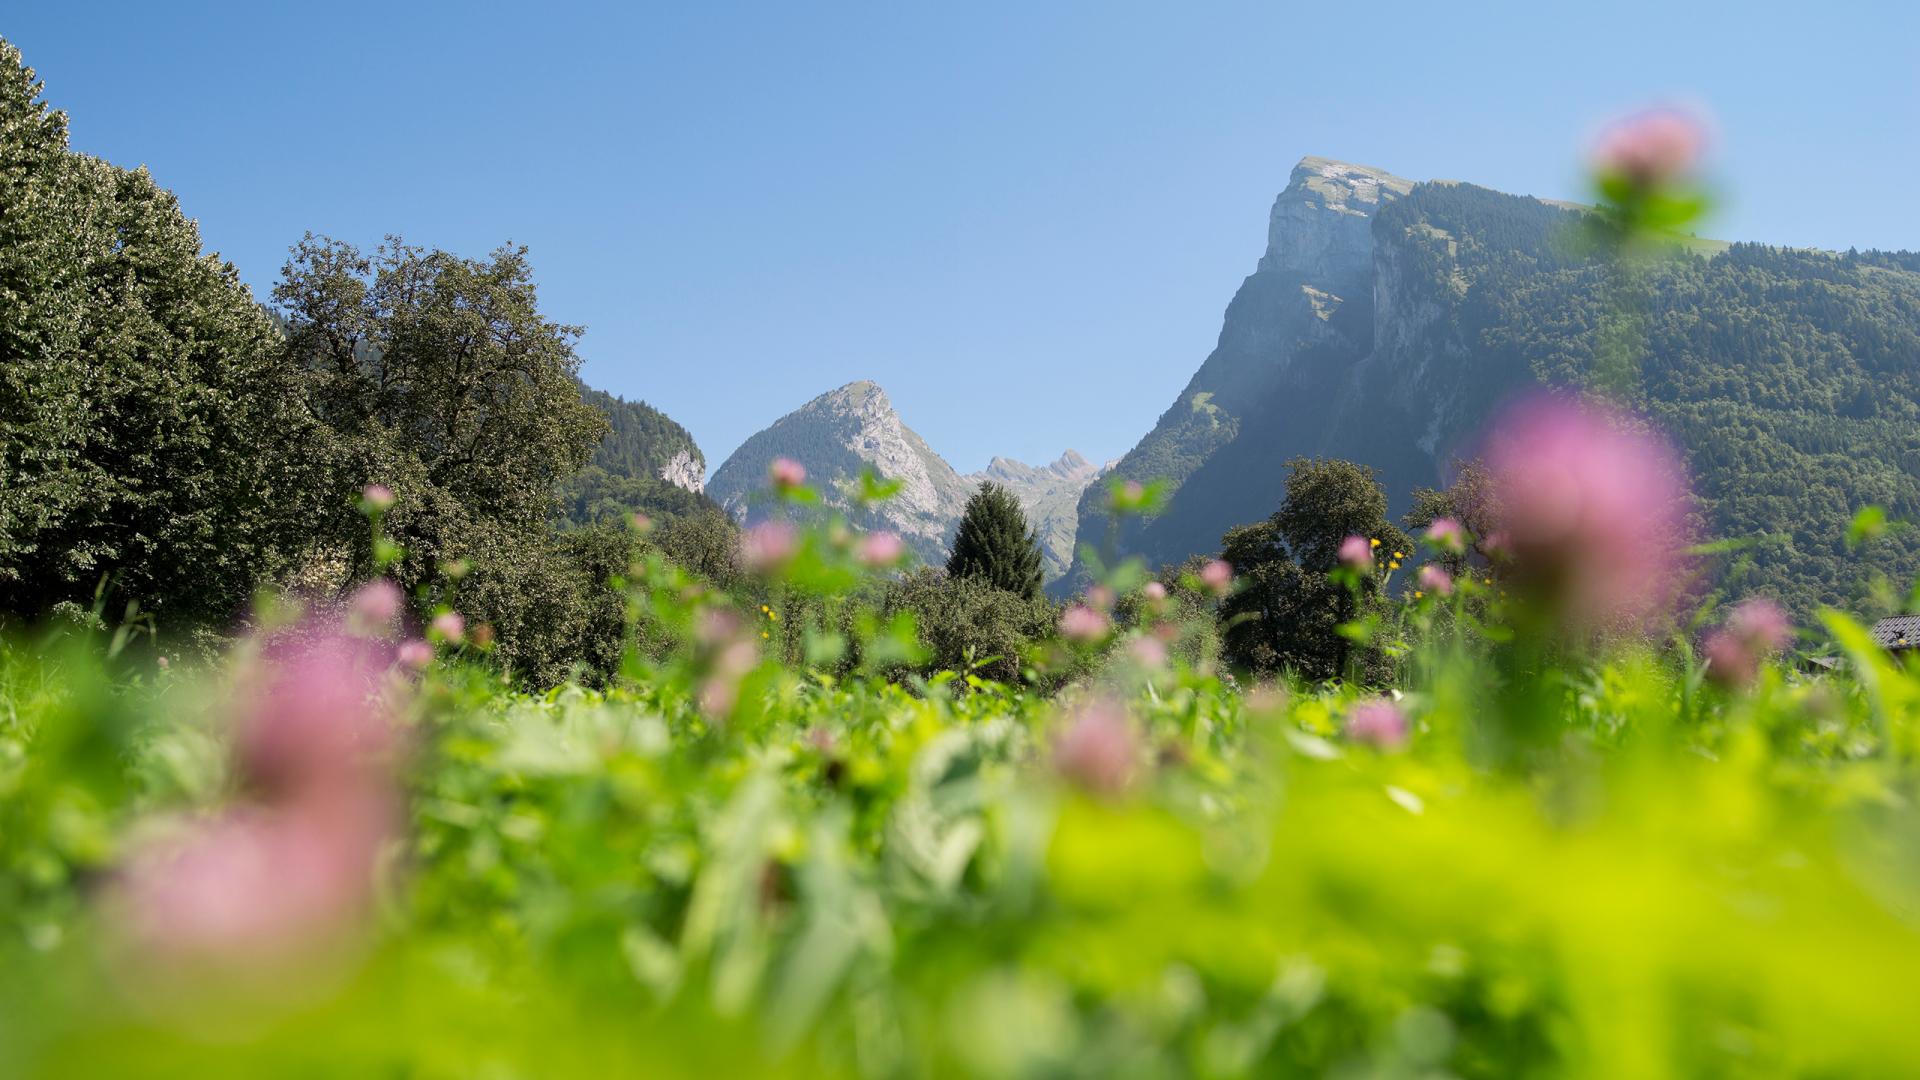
(836, 437)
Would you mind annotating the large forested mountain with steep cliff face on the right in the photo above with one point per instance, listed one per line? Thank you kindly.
(1389, 320)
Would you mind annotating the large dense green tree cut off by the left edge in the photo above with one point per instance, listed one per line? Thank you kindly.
(151, 428)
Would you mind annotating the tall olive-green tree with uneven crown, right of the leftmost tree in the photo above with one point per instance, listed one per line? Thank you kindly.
(439, 378)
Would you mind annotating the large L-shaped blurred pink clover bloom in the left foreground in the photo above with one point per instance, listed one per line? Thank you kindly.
(283, 879)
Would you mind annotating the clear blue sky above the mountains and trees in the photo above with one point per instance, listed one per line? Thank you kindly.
(1022, 220)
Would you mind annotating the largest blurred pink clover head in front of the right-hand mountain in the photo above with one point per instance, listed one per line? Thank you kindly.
(1595, 512)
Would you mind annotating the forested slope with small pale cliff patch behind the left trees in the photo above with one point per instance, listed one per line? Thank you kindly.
(646, 464)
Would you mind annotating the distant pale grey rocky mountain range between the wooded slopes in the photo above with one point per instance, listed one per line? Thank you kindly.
(848, 430)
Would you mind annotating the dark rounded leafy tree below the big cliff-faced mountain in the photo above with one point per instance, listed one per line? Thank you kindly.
(1287, 612)
